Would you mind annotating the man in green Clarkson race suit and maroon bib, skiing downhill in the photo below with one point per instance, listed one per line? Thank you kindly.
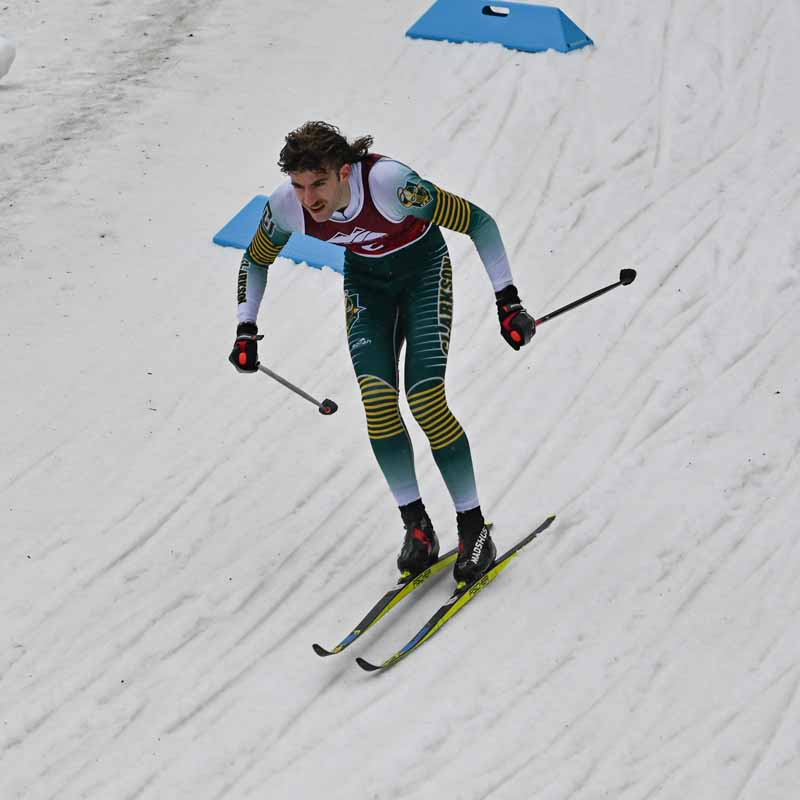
(398, 290)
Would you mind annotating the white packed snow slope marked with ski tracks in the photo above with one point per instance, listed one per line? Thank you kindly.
(175, 535)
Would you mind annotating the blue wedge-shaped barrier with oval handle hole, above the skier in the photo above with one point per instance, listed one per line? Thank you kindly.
(514, 25)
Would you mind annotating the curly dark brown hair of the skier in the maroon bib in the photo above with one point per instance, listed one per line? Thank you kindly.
(320, 146)
